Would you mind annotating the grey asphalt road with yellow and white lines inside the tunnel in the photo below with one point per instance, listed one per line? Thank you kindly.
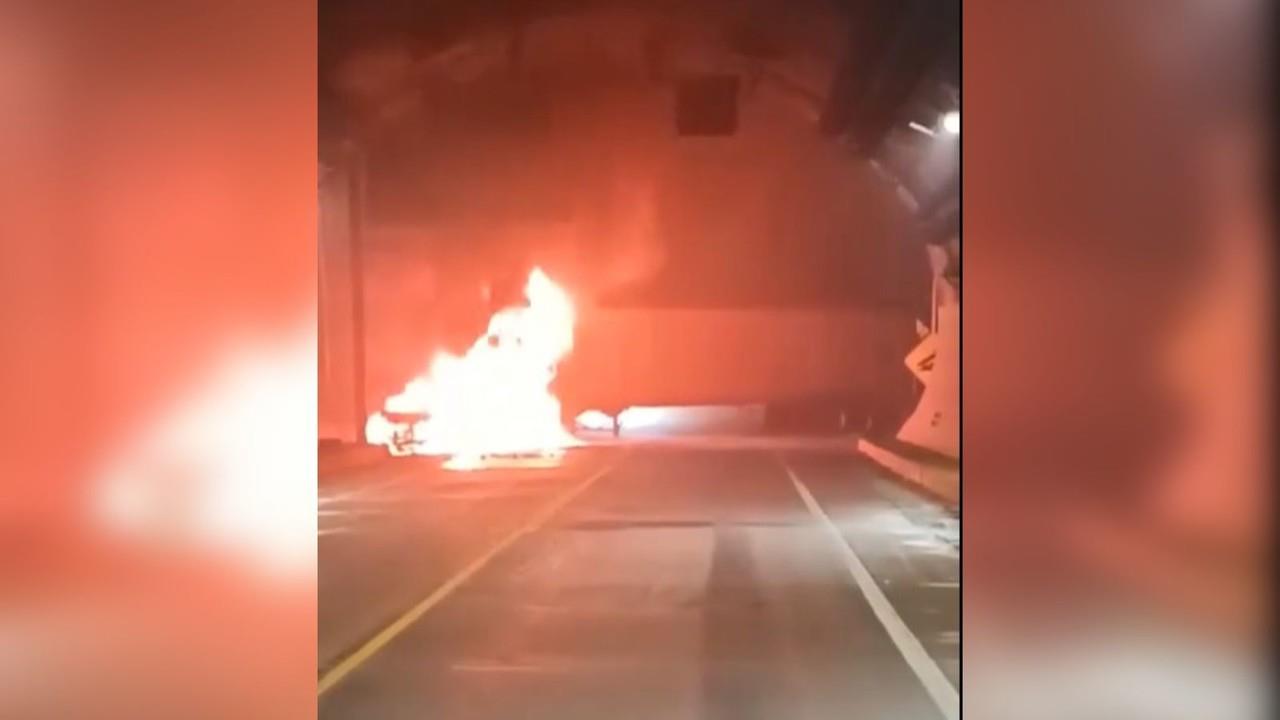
(642, 582)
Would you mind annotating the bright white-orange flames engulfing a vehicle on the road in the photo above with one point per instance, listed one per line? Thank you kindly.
(493, 400)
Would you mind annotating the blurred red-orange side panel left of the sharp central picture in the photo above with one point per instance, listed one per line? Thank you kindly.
(158, 211)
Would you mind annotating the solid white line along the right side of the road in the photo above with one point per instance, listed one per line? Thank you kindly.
(935, 682)
